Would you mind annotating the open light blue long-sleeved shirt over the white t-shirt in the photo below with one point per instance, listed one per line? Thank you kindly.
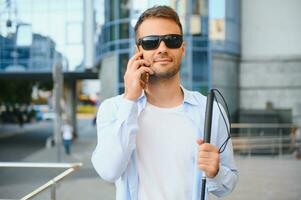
(115, 157)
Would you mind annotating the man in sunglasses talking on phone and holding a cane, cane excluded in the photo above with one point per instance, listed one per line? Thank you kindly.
(150, 138)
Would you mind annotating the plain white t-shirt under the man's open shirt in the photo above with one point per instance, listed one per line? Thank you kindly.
(166, 143)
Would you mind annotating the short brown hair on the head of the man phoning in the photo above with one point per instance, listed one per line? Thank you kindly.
(165, 12)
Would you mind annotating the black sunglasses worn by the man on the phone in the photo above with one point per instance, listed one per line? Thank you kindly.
(151, 42)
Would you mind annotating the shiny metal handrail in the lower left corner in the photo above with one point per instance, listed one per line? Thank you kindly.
(52, 182)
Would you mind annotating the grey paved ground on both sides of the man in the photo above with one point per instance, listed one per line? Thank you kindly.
(261, 178)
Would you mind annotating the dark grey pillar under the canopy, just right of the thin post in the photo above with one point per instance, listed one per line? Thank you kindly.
(71, 104)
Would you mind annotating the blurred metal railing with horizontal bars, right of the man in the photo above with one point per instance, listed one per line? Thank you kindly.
(261, 138)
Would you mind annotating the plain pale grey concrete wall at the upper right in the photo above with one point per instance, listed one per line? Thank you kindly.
(271, 54)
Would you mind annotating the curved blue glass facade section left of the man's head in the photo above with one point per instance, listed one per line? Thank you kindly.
(116, 35)
